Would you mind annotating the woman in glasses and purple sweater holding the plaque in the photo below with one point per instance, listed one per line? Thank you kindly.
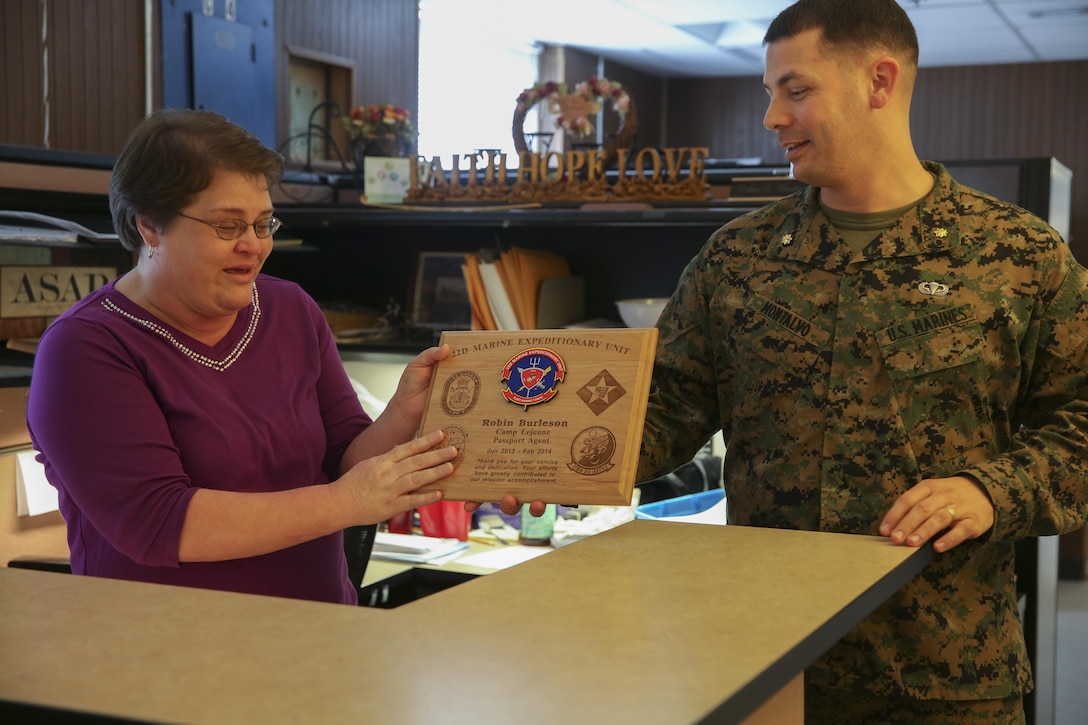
(195, 415)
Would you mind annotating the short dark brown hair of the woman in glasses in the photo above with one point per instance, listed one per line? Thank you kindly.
(171, 156)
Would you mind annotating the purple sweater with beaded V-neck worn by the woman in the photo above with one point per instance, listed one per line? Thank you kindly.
(132, 416)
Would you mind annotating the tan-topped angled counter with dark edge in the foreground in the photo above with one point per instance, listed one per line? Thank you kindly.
(653, 622)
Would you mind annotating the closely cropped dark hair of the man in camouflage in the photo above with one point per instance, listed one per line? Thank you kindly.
(861, 24)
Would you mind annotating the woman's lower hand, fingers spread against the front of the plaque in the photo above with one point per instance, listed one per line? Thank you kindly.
(379, 488)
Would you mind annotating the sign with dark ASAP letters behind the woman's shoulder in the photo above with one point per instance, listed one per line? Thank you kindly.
(47, 291)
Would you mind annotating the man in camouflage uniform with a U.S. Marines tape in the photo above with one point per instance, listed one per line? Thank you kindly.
(891, 353)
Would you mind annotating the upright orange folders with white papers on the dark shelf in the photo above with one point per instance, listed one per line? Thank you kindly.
(505, 289)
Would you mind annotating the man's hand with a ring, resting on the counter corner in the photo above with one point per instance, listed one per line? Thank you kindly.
(959, 505)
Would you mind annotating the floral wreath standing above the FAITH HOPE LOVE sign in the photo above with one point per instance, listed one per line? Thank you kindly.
(574, 112)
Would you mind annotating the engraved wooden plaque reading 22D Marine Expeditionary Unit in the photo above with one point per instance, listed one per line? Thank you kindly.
(550, 415)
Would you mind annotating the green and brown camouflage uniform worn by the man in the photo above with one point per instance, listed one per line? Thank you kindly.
(840, 380)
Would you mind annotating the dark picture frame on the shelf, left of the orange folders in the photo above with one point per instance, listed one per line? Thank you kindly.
(441, 298)
